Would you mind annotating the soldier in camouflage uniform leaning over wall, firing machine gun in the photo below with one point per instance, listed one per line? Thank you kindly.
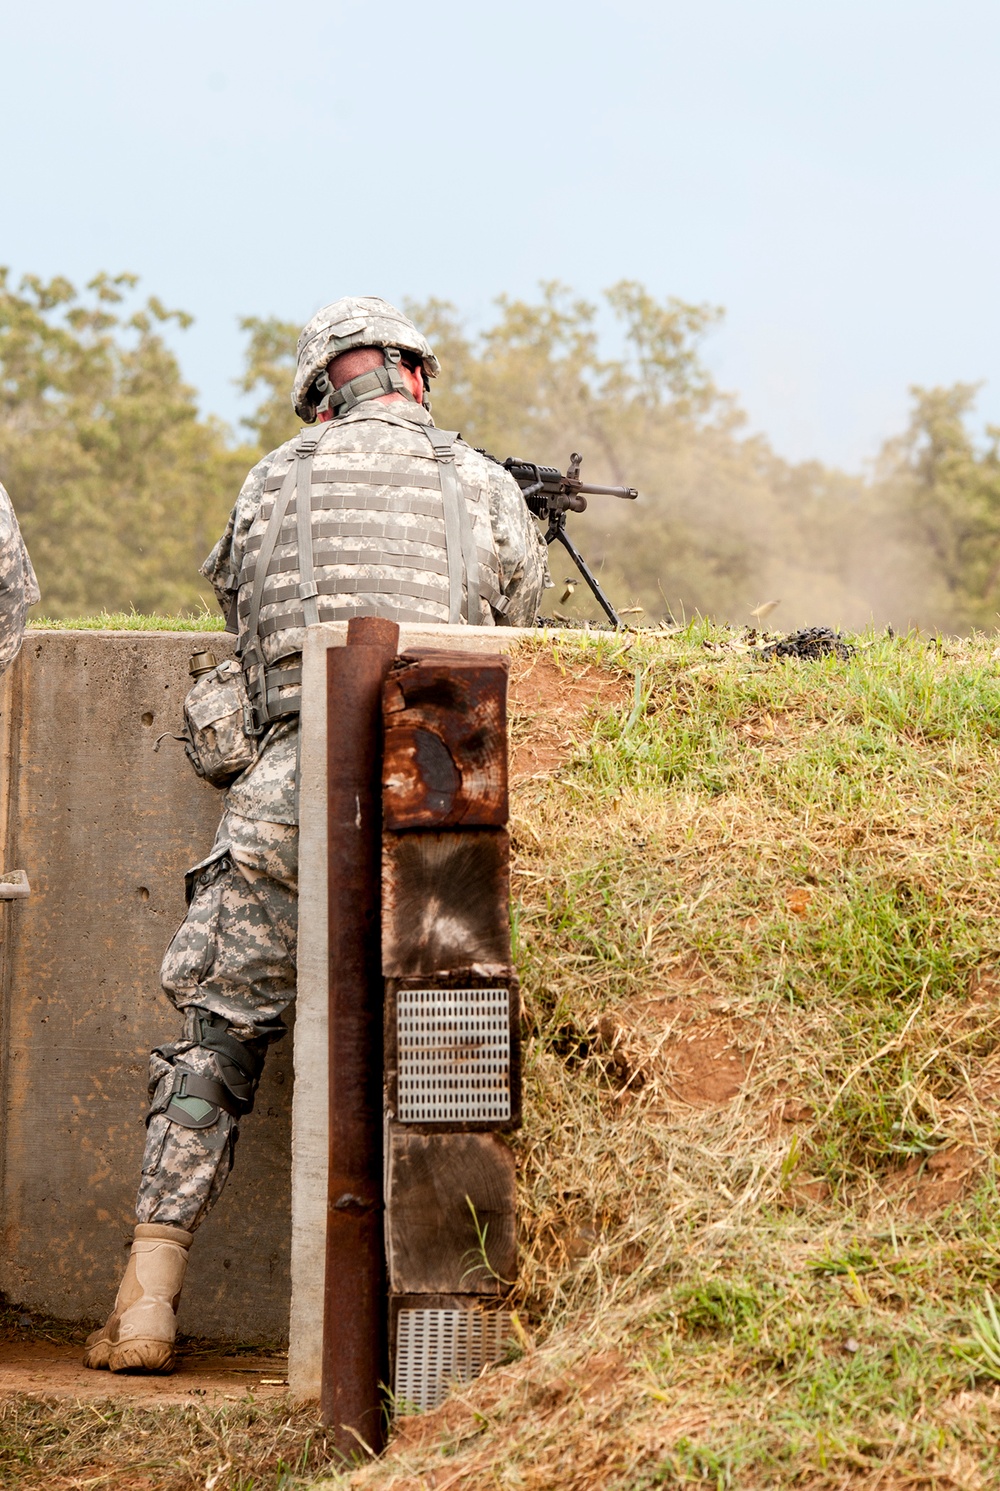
(405, 521)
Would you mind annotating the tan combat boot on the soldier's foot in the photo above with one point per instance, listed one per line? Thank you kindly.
(141, 1331)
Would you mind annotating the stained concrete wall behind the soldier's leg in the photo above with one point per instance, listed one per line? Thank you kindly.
(105, 828)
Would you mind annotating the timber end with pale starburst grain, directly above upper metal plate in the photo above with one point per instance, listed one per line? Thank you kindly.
(445, 903)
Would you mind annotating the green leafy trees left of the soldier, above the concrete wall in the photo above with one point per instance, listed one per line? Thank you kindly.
(120, 487)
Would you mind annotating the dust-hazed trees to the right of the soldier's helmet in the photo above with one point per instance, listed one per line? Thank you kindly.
(724, 523)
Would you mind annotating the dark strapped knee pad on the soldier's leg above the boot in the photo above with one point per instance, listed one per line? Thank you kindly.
(196, 1100)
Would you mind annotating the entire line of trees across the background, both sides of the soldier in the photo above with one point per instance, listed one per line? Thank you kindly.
(123, 487)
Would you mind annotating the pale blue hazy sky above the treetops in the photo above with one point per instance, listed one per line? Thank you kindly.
(829, 174)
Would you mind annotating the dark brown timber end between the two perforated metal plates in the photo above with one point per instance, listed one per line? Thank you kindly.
(451, 1214)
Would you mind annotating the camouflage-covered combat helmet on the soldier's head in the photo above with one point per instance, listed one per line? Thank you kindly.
(357, 321)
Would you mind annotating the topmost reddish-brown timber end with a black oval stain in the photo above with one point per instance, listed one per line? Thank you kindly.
(445, 742)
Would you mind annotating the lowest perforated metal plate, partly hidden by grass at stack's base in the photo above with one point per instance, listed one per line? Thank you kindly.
(440, 1347)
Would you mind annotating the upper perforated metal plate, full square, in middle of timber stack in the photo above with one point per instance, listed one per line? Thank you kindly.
(454, 1049)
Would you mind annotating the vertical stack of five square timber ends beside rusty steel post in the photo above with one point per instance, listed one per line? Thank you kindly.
(452, 1018)
